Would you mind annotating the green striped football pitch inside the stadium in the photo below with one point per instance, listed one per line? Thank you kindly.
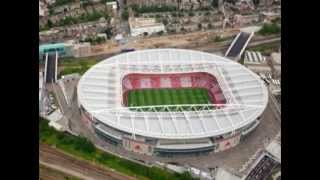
(151, 97)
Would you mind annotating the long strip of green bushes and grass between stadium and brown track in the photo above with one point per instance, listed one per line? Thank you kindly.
(84, 149)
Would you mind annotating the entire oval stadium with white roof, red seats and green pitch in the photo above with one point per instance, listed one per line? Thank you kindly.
(171, 101)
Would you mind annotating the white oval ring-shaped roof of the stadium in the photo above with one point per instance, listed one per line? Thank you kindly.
(100, 93)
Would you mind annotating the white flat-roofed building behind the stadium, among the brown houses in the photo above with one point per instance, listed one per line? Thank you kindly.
(140, 26)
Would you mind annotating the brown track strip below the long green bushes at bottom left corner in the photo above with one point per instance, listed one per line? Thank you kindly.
(65, 163)
